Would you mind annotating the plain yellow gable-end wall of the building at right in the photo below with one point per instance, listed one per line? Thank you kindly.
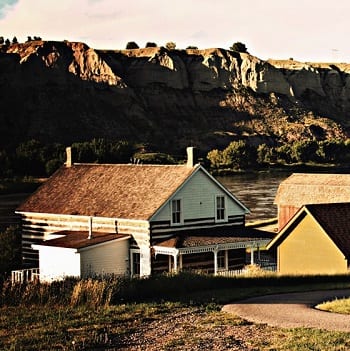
(308, 250)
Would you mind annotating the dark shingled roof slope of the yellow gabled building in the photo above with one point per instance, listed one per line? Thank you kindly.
(335, 220)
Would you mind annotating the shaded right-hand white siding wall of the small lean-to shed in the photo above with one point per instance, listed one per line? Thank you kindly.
(109, 258)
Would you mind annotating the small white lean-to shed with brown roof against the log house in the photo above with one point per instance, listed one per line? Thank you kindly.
(76, 254)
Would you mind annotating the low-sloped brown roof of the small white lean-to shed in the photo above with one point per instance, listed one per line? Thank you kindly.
(79, 239)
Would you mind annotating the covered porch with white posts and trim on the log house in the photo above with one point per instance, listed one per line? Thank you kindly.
(218, 255)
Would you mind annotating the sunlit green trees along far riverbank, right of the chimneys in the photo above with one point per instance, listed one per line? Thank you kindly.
(240, 154)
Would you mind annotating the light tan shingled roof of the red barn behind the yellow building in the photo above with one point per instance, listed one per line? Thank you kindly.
(306, 188)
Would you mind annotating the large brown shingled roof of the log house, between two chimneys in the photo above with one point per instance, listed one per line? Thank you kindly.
(118, 191)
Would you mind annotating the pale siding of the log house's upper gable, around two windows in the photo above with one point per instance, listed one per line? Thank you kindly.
(198, 200)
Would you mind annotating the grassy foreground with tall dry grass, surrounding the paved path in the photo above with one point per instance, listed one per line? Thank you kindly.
(164, 313)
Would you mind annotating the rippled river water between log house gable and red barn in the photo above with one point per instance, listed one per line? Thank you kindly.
(256, 191)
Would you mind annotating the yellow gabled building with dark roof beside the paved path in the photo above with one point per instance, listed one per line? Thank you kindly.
(315, 241)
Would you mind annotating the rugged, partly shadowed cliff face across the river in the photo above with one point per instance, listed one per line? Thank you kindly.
(62, 91)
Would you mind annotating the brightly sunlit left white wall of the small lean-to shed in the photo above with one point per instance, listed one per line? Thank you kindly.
(55, 263)
